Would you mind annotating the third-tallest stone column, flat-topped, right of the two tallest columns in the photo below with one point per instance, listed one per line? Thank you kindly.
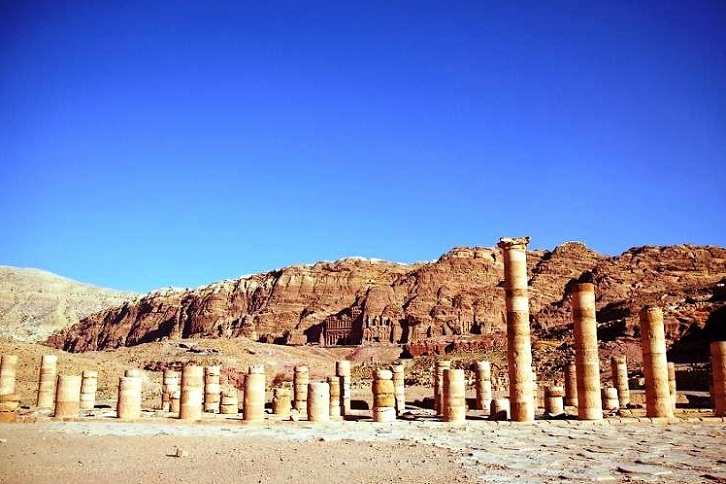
(655, 364)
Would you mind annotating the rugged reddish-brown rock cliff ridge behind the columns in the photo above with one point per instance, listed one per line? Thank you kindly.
(459, 294)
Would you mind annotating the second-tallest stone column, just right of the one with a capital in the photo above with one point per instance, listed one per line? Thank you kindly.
(586, 356)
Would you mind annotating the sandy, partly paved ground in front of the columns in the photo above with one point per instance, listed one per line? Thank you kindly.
(427, 451)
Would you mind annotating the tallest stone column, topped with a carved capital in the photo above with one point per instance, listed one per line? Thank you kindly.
(519, 346)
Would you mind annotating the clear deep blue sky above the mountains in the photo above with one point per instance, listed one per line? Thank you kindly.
(148, 144)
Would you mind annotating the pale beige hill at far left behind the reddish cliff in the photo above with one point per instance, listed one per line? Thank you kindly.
(35, 303)
